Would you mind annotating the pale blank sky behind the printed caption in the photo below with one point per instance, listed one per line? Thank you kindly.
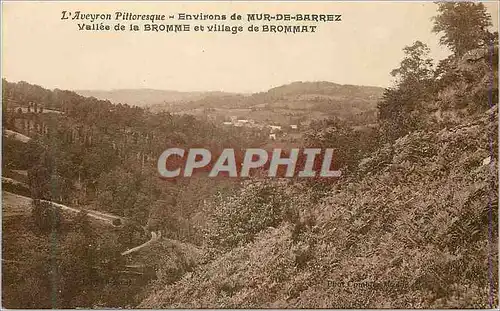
(41, 48)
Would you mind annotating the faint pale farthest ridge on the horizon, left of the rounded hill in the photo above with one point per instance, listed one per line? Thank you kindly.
(146, 97)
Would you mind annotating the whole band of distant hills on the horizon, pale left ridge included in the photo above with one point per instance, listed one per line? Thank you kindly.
(286, 104)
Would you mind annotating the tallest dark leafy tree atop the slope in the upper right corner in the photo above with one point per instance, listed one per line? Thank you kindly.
(464, 26)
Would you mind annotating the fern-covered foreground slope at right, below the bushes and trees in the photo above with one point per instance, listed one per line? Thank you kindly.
(412, 233)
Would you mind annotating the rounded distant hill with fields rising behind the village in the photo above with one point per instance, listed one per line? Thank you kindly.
(289, 104)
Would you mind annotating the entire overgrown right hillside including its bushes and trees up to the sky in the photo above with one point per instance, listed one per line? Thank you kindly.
(415, 226)
